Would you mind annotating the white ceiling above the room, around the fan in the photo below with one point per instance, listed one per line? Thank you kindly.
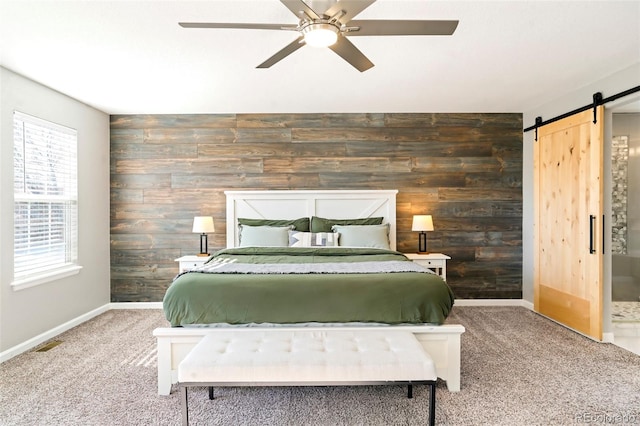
(132, 57)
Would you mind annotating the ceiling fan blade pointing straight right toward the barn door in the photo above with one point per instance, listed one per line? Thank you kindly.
(372, 28)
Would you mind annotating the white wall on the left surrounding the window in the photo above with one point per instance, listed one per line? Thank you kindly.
(27, 313)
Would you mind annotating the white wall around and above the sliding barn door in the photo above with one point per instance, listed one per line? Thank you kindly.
(608, 86)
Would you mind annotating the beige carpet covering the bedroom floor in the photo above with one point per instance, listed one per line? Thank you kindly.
(517, 369)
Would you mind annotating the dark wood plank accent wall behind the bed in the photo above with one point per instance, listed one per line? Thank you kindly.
(464, 169)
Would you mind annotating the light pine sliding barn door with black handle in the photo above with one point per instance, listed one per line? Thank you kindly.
(568, 168)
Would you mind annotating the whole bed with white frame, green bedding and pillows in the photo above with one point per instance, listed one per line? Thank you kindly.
(287, 266)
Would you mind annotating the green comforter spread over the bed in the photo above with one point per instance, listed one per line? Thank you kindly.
(198, 298)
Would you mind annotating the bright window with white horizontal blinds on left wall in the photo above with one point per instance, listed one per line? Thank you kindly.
(45, 211)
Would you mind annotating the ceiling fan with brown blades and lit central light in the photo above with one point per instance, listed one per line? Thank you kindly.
(332, 27)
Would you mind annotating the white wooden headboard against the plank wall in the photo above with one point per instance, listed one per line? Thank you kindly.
(333, 204)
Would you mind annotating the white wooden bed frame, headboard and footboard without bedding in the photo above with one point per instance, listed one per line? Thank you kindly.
(442, 342)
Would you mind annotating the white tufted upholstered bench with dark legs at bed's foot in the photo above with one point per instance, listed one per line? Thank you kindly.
(306, 358)
